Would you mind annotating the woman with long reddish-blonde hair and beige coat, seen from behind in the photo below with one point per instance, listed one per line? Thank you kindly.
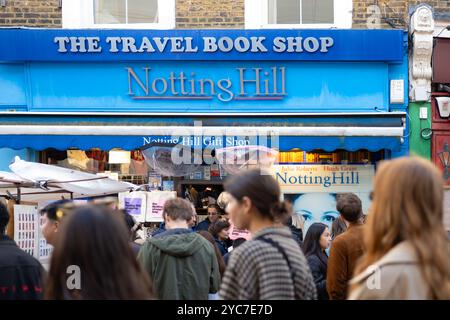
(407, 251)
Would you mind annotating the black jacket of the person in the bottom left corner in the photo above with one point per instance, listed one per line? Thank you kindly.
(21, 275)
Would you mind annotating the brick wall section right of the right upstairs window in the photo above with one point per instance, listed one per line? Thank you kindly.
(394, 13)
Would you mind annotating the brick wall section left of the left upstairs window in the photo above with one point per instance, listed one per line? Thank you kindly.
(31, 13)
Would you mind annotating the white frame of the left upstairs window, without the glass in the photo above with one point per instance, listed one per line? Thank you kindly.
(80, 15)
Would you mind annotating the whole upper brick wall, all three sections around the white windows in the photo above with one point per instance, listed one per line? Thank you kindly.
(221, 14)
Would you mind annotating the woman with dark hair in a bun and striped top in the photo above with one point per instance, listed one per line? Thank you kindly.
(271, 265)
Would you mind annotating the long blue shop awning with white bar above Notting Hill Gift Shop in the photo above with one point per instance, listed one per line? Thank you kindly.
(306, 132)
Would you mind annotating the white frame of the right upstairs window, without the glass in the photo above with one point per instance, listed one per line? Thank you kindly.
(257, 17)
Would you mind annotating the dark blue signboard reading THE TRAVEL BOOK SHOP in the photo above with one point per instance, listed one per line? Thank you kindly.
(113, 45)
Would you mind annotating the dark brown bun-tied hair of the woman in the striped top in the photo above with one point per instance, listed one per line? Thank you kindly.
(263, 191)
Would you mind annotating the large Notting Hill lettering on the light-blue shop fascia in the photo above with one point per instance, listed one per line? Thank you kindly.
(251, 84)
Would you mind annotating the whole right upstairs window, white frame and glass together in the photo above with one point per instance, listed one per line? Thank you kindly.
(298, 14)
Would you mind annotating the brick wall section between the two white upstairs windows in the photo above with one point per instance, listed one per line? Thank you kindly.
(208, 14)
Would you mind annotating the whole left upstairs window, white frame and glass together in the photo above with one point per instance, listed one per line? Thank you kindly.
(123, 14)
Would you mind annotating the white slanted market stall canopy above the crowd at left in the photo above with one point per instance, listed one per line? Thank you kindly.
(82, 183)
